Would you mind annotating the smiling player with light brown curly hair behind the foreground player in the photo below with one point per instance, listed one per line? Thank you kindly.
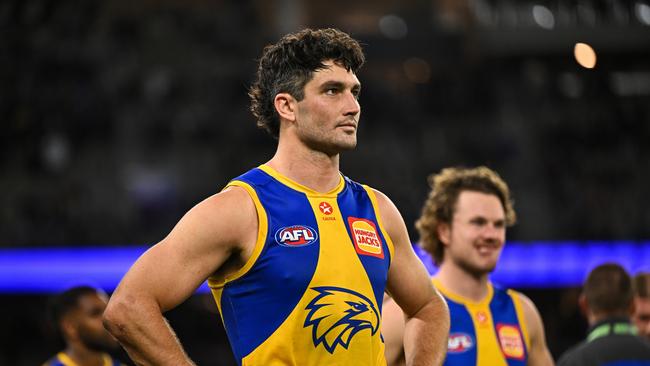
(463, 226)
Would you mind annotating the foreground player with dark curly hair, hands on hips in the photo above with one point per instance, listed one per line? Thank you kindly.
(297, 255)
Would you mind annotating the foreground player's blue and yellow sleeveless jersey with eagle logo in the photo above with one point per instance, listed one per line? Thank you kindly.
(312, 291)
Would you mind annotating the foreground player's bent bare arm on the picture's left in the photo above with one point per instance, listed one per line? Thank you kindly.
(219, 230)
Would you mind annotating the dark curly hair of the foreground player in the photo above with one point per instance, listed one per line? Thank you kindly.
(285, 67)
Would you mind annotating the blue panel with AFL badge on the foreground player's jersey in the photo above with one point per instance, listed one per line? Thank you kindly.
(280, 275)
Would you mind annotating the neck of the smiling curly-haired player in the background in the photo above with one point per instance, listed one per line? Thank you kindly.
(462, 283)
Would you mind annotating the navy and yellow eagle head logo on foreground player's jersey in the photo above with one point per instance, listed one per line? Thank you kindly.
(336, 314)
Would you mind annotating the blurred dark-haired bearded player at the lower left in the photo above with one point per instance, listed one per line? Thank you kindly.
(77, 316)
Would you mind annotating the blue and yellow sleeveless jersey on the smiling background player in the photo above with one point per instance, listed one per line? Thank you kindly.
(491, 332)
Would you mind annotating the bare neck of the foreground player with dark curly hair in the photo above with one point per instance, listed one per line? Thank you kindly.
(310, 168)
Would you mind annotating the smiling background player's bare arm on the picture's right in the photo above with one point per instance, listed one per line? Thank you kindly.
(538, 354)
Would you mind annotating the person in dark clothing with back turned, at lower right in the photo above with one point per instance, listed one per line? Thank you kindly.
(607, 303)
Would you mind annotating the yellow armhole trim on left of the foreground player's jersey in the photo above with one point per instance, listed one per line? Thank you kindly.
(262, 230)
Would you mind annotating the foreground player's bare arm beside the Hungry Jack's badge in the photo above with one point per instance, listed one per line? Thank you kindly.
(427, 317)
